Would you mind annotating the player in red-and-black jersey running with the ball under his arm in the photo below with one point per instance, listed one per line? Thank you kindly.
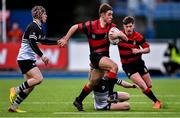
(97, 34)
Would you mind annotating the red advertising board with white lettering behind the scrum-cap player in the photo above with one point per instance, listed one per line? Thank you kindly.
(58, 56)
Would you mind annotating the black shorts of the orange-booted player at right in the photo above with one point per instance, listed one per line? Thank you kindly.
(138, 66)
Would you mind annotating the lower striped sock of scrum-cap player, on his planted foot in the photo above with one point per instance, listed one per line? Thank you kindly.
(21, 97)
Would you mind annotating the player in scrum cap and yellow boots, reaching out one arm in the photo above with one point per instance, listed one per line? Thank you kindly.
(26, 58)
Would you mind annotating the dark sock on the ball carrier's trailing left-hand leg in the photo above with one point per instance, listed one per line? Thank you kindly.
(85, 91)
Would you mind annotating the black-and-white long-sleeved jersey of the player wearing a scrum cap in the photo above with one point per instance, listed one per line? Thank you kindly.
(32, 35)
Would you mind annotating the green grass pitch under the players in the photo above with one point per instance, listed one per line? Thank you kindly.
(54, 97)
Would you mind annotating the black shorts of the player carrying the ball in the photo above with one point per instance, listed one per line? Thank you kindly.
(96, 57)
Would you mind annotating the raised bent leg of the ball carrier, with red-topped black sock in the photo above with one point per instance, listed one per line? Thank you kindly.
(107, 64)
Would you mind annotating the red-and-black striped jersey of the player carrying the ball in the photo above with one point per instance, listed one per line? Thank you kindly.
(97, 36)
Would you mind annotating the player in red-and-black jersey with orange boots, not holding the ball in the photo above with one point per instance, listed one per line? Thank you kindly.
(132, 63)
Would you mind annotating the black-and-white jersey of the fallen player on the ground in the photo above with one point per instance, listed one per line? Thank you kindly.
(101, 93)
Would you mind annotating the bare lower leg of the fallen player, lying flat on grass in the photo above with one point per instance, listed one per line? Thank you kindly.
(120, 106)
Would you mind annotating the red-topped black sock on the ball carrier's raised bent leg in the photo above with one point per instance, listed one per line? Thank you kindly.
(111, 81)
